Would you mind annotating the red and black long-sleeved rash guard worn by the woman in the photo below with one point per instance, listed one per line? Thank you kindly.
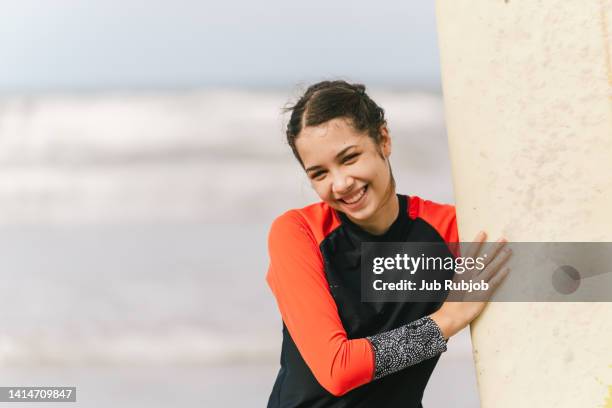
(332, 354)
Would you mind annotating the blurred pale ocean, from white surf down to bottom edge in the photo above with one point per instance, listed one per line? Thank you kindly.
(133, 237)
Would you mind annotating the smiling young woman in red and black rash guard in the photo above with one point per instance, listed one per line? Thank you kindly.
(338, 351)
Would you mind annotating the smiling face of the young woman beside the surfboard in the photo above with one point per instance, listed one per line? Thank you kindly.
(350, 172)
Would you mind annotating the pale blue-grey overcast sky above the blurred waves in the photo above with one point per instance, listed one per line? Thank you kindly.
(94, 44)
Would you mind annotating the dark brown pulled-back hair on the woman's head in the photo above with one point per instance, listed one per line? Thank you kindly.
(328, 100)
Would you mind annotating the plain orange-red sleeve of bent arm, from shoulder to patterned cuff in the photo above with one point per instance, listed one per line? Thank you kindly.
(297, 279)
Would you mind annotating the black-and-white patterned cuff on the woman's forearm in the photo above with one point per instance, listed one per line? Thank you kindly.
(407, 345)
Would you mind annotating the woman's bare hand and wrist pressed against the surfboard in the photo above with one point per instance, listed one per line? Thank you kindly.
(465, 307)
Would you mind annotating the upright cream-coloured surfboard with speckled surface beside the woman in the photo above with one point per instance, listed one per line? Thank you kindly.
(527, 89)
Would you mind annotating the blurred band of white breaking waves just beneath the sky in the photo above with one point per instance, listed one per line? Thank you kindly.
(210, 156)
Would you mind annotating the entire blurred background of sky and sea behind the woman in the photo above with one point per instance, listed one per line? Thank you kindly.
(142, 160)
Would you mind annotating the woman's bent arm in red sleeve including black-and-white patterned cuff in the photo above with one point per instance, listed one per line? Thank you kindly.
(297, 279)
